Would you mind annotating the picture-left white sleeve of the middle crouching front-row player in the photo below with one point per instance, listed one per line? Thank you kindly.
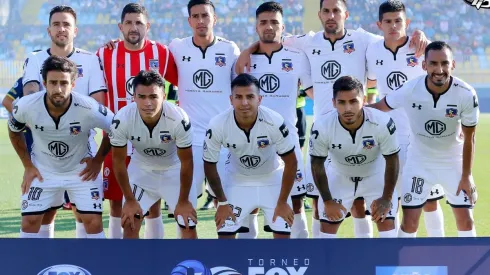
(213, 141)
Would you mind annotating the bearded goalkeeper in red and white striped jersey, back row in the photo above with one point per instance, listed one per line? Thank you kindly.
(121, 63)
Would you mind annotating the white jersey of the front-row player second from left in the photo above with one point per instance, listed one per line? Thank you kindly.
(155, 148)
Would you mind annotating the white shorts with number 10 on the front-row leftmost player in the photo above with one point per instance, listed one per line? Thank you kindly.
(87, 196)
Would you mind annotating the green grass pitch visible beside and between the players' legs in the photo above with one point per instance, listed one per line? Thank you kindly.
(11, 172)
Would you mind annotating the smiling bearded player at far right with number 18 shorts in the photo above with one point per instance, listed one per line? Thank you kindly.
(443, 113)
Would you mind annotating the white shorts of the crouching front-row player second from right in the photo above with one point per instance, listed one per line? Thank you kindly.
(345, 190)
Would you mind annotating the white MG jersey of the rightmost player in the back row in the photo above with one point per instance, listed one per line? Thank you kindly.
(391, 70)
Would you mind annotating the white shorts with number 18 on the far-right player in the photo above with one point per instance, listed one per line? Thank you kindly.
(419, 182)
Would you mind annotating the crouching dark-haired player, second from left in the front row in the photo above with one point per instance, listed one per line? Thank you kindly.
(161, 136)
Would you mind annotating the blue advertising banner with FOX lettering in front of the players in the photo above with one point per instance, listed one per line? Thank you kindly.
(422, 256)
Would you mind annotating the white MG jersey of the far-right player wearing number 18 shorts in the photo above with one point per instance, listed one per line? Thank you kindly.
(436, 137)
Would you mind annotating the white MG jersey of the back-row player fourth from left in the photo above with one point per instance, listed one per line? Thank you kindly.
(278, 76)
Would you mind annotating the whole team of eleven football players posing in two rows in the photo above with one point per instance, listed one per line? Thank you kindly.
(245, 139)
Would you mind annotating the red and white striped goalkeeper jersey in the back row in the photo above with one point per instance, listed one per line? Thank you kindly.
(121, 66)
